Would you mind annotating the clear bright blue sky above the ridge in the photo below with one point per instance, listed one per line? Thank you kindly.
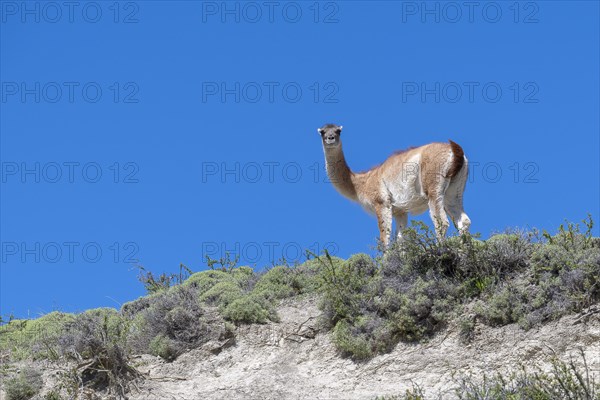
(159, 133)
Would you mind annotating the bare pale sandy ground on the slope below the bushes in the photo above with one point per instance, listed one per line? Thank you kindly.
(293, 360)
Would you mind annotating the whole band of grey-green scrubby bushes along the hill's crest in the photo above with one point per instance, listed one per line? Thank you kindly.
(369, 304)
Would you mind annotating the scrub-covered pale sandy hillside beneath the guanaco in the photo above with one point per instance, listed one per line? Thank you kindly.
(438, 320)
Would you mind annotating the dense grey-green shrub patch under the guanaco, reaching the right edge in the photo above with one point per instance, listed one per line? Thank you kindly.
(419, 285)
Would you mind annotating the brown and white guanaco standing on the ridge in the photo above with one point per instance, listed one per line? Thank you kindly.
(431, 177)
